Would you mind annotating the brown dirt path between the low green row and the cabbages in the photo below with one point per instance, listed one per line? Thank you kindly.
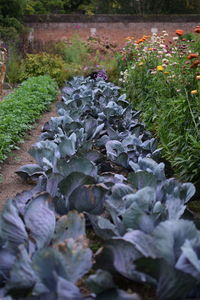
(10, 182)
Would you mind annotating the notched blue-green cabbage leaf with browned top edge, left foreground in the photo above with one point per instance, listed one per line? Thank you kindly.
(69, 260)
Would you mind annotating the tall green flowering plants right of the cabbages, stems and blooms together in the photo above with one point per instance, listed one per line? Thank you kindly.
(159, 82)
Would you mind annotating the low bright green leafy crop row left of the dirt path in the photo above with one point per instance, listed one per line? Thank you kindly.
(20, 108)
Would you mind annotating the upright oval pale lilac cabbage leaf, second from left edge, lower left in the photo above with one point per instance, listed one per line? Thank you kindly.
(39, 218)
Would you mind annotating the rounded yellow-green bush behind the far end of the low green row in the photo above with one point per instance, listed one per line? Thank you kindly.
(42, 64)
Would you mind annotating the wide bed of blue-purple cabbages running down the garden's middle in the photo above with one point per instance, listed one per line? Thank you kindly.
(97, 158)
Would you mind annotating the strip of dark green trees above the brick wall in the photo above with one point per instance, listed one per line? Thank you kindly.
(113, 6)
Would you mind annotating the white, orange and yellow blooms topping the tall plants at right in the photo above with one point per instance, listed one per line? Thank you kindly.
(158, 54)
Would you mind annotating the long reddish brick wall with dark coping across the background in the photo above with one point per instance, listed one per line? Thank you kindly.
(116, 27)
